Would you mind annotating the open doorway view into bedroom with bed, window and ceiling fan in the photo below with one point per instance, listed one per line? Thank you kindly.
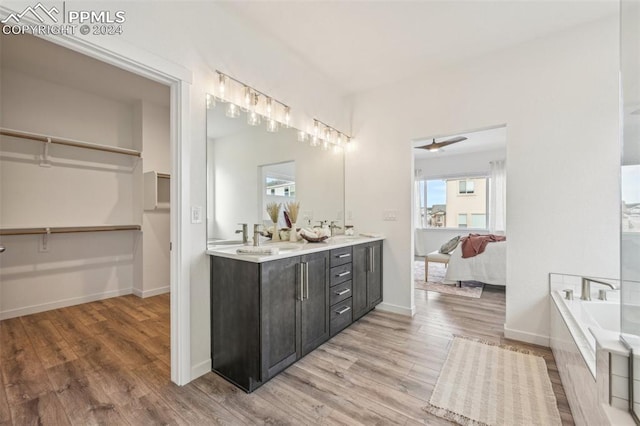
(459, 188)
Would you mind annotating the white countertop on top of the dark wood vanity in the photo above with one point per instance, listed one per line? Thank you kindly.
(289, 249)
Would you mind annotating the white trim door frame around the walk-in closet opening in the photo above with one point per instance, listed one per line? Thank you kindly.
(145, 64)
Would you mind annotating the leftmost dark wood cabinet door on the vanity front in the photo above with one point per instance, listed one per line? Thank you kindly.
(280, 333)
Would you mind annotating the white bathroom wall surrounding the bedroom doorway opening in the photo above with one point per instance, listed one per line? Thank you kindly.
(558, 97)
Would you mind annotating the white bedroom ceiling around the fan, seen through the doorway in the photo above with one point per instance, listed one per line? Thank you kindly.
(477, 141)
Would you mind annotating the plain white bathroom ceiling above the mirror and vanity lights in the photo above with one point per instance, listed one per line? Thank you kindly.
(359, 45)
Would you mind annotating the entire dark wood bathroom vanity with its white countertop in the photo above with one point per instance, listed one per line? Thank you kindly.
(268, 311)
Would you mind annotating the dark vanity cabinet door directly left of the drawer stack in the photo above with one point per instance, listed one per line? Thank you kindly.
(315, 304)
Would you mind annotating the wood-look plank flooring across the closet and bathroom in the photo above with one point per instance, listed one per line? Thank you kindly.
(107, 363)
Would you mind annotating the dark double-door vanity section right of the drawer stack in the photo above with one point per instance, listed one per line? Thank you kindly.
(367, 277)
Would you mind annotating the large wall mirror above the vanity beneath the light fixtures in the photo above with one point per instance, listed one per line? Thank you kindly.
(247, 167)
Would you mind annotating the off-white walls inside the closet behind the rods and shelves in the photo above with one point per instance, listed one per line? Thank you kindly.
(71, 187)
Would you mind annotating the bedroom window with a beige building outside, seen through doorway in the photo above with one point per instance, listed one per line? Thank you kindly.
(442, 203)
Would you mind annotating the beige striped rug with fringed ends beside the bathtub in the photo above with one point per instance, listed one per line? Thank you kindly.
(487, 384)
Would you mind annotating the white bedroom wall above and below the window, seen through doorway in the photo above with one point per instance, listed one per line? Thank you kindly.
(428, 240)
